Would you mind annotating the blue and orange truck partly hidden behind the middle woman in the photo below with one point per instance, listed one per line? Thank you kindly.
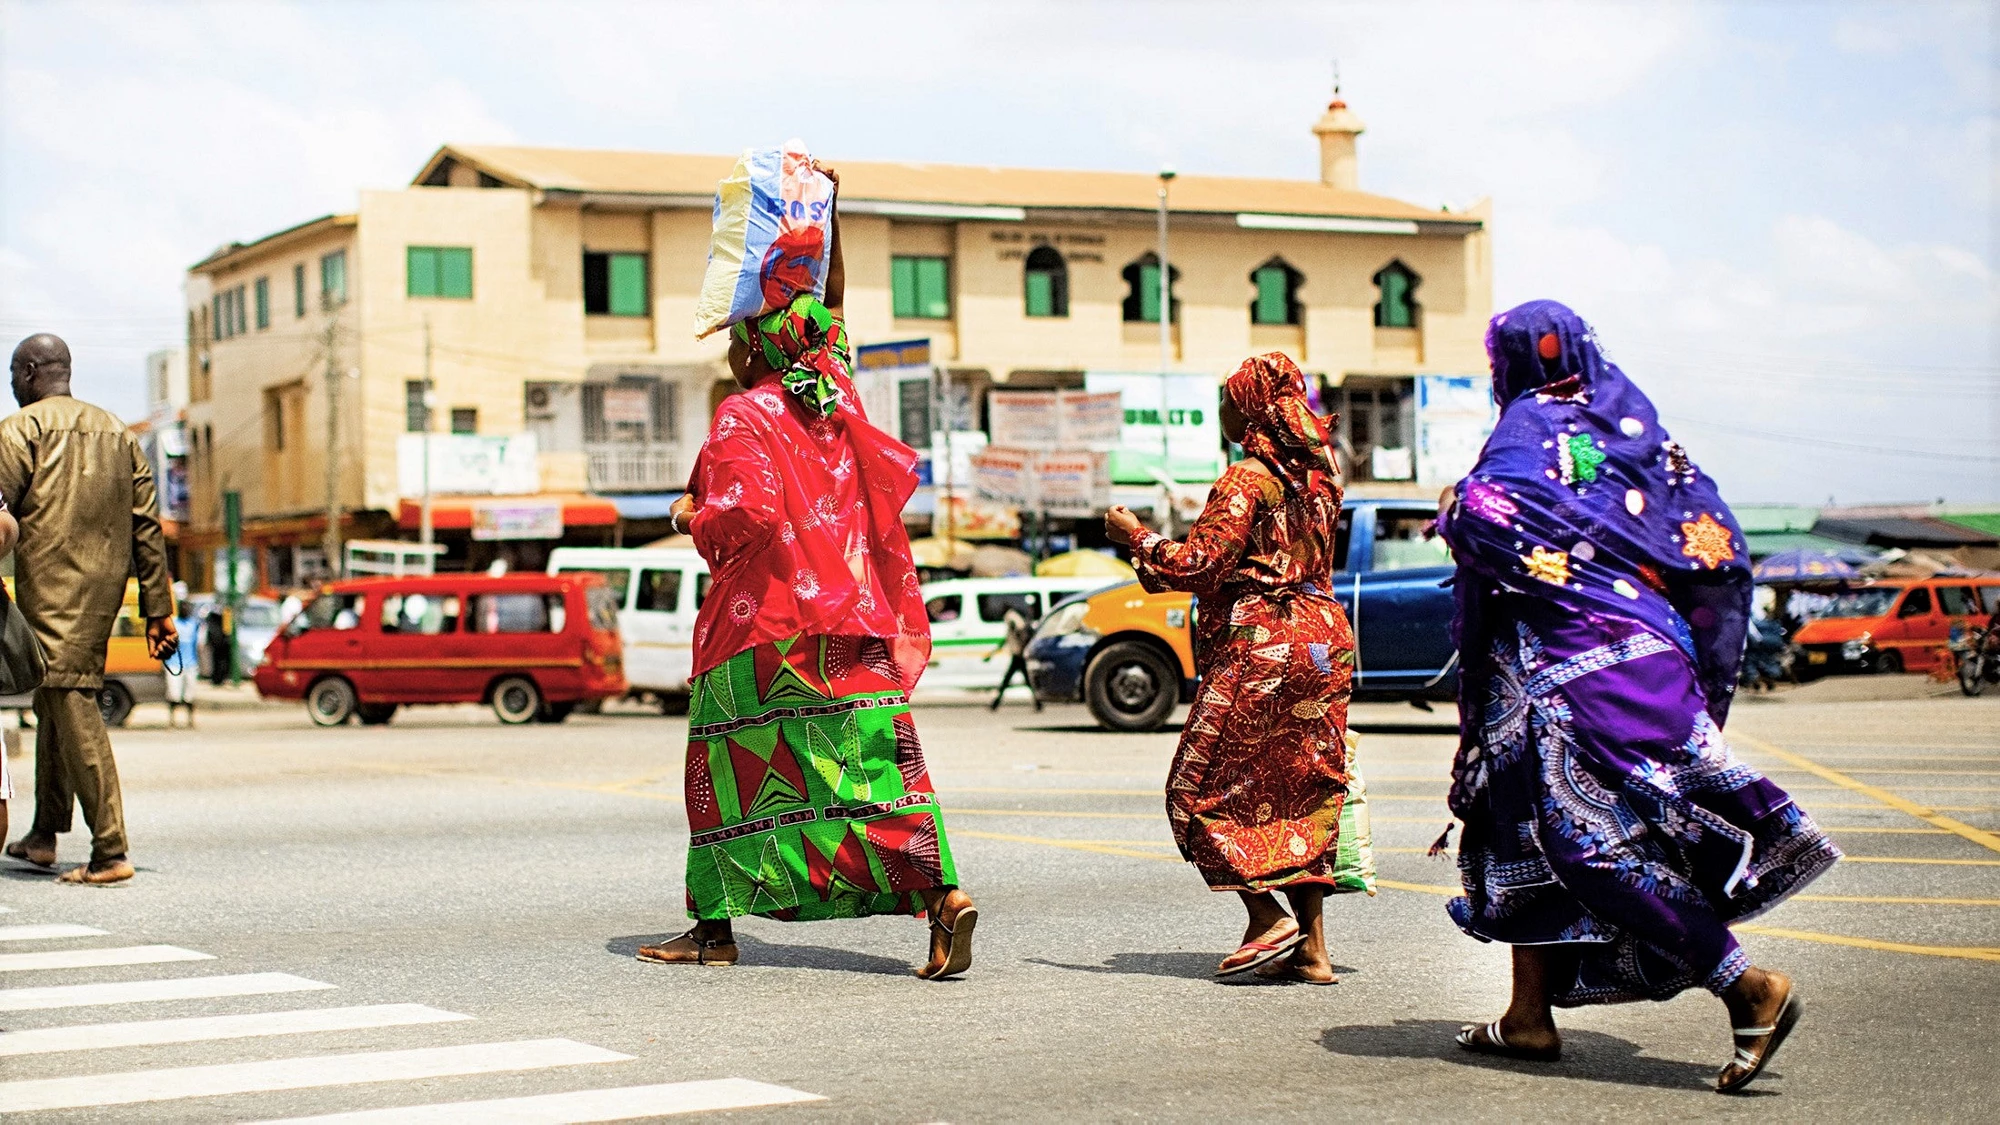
(1131, 656)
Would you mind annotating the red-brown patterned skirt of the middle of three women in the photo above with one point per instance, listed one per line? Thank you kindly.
(1263, 770)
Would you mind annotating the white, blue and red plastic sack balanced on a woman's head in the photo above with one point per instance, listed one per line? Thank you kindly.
(773, 235)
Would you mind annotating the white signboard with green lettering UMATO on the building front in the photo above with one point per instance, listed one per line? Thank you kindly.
(1179, 405)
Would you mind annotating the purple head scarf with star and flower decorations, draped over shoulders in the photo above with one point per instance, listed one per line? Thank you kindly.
(1583, 499)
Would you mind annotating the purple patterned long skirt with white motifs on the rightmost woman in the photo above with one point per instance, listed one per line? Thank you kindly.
(1609, 814)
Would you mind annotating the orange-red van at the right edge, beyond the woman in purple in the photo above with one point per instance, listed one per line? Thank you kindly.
(1897, 626)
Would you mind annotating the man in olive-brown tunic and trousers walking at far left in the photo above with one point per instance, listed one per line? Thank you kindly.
(83, 493)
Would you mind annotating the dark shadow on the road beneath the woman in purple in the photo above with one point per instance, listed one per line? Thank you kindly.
(1589, 1056)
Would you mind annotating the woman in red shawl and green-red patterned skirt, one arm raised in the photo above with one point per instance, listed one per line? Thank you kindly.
(807, 788)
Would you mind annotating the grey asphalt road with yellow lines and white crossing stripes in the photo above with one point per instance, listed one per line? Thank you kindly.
(457, 904)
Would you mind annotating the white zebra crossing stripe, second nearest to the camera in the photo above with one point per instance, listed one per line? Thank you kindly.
(299, 1074)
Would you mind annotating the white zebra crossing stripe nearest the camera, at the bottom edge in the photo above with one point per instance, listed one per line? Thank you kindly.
(581, 1106)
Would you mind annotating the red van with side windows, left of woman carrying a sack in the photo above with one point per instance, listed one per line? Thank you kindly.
(529, 646)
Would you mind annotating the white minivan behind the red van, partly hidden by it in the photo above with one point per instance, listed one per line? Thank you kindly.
(659, 590)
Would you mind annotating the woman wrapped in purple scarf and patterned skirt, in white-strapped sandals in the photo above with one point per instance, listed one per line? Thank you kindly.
(1603, 598)
